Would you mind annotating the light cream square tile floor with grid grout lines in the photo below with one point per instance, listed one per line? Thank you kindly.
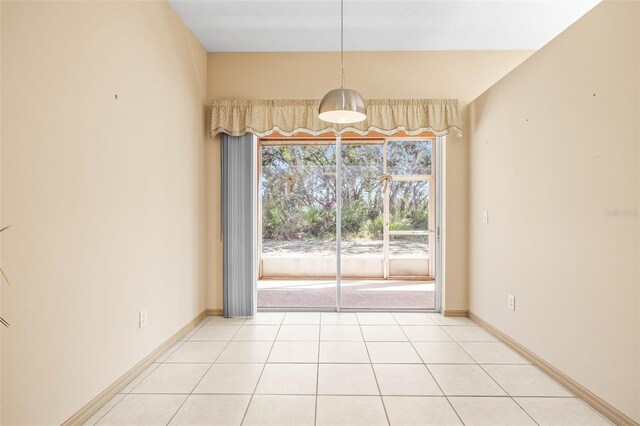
(343, 369)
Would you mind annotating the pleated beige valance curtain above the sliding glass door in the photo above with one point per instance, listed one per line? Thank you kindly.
(288, 117)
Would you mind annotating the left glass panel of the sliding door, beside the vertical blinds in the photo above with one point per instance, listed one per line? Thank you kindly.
(298, 222)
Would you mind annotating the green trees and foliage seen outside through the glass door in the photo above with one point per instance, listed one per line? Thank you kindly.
(299, 194)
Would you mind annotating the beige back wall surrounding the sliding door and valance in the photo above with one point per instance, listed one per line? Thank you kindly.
(462, 75)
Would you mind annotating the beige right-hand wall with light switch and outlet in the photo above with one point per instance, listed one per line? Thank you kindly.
(554, 146)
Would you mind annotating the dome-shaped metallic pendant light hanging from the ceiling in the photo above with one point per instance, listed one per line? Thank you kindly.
(342, 106)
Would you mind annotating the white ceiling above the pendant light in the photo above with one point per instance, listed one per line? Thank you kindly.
(377, 25)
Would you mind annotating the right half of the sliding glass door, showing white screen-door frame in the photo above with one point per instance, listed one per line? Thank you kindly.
(386, 213)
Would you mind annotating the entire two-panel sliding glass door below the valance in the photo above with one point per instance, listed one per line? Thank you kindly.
(347, 224)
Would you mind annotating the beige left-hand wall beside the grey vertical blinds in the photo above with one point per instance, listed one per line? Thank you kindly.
(105, 196)
